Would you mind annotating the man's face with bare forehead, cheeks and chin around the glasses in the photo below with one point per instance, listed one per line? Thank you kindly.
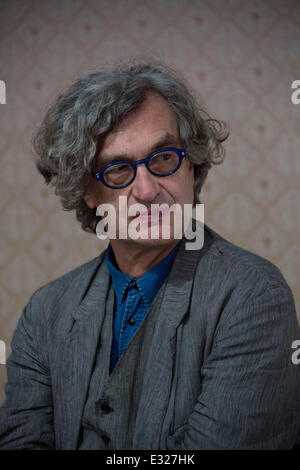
(149, 128)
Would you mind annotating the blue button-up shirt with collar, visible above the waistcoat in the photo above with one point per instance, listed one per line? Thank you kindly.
(133, 299)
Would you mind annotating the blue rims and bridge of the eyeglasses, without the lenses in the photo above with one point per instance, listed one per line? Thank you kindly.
(98, 175)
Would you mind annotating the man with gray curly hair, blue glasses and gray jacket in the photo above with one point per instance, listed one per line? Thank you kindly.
(150, 345)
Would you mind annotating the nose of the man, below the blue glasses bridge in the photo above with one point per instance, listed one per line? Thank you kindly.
(145, 186)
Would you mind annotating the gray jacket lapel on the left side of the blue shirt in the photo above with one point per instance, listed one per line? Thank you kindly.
(79, 352)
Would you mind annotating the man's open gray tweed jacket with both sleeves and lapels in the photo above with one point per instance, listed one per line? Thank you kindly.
(218, 372)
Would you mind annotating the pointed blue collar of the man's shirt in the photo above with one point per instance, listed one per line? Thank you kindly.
(149, 284)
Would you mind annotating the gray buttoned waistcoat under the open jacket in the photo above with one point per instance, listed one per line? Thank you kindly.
(113, 400)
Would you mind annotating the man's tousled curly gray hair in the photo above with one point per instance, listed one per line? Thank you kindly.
(69, 140)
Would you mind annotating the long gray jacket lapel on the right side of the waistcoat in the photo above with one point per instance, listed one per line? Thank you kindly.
(159, 372)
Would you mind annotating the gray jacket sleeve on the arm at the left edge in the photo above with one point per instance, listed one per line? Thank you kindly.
(26, 417)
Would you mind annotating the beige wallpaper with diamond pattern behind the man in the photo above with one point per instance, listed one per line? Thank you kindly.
(240, 56)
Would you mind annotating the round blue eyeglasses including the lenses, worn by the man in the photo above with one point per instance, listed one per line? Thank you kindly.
(163, 162)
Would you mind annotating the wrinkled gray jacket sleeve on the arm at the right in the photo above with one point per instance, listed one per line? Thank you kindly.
(250, 386)
